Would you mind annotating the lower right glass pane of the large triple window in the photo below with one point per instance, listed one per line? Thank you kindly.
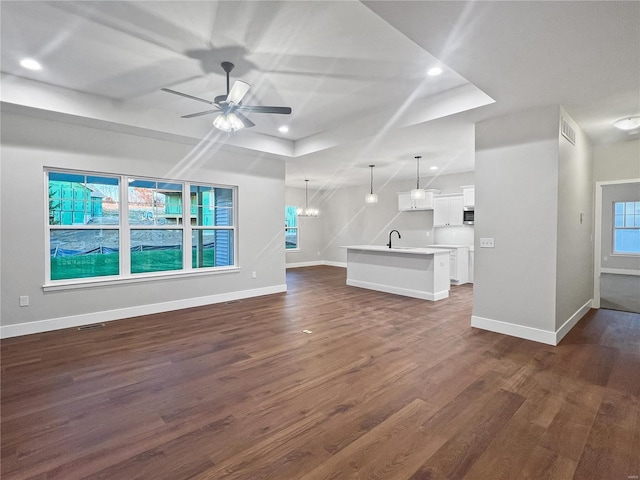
(212, 248)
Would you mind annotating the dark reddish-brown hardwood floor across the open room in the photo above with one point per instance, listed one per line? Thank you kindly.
(386, 387)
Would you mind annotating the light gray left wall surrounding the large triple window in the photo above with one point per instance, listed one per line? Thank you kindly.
(30, 144)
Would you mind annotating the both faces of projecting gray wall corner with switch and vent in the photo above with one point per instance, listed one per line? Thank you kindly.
(531, 186)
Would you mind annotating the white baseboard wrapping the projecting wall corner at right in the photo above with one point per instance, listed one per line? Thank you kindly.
(529, 333)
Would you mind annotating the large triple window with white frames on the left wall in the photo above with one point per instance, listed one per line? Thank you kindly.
(98, 228)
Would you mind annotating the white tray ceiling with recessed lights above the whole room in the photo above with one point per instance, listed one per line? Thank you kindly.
(353, 72)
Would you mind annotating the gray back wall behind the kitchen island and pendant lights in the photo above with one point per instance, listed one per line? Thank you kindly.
(345, 219)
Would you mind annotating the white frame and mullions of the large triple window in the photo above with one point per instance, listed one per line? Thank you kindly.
(125, 228)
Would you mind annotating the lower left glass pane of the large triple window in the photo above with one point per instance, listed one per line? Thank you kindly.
(84, 253)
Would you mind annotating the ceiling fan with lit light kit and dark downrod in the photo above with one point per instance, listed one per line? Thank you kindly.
(229, 107)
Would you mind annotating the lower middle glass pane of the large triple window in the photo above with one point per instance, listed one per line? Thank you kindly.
(156, 250)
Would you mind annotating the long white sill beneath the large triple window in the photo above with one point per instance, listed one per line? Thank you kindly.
(142, 278)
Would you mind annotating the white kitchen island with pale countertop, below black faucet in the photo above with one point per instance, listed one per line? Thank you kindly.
(412, 272)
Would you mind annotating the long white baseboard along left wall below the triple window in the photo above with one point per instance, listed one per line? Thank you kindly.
(7, 331)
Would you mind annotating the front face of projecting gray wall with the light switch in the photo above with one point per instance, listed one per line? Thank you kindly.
(517, 205)
